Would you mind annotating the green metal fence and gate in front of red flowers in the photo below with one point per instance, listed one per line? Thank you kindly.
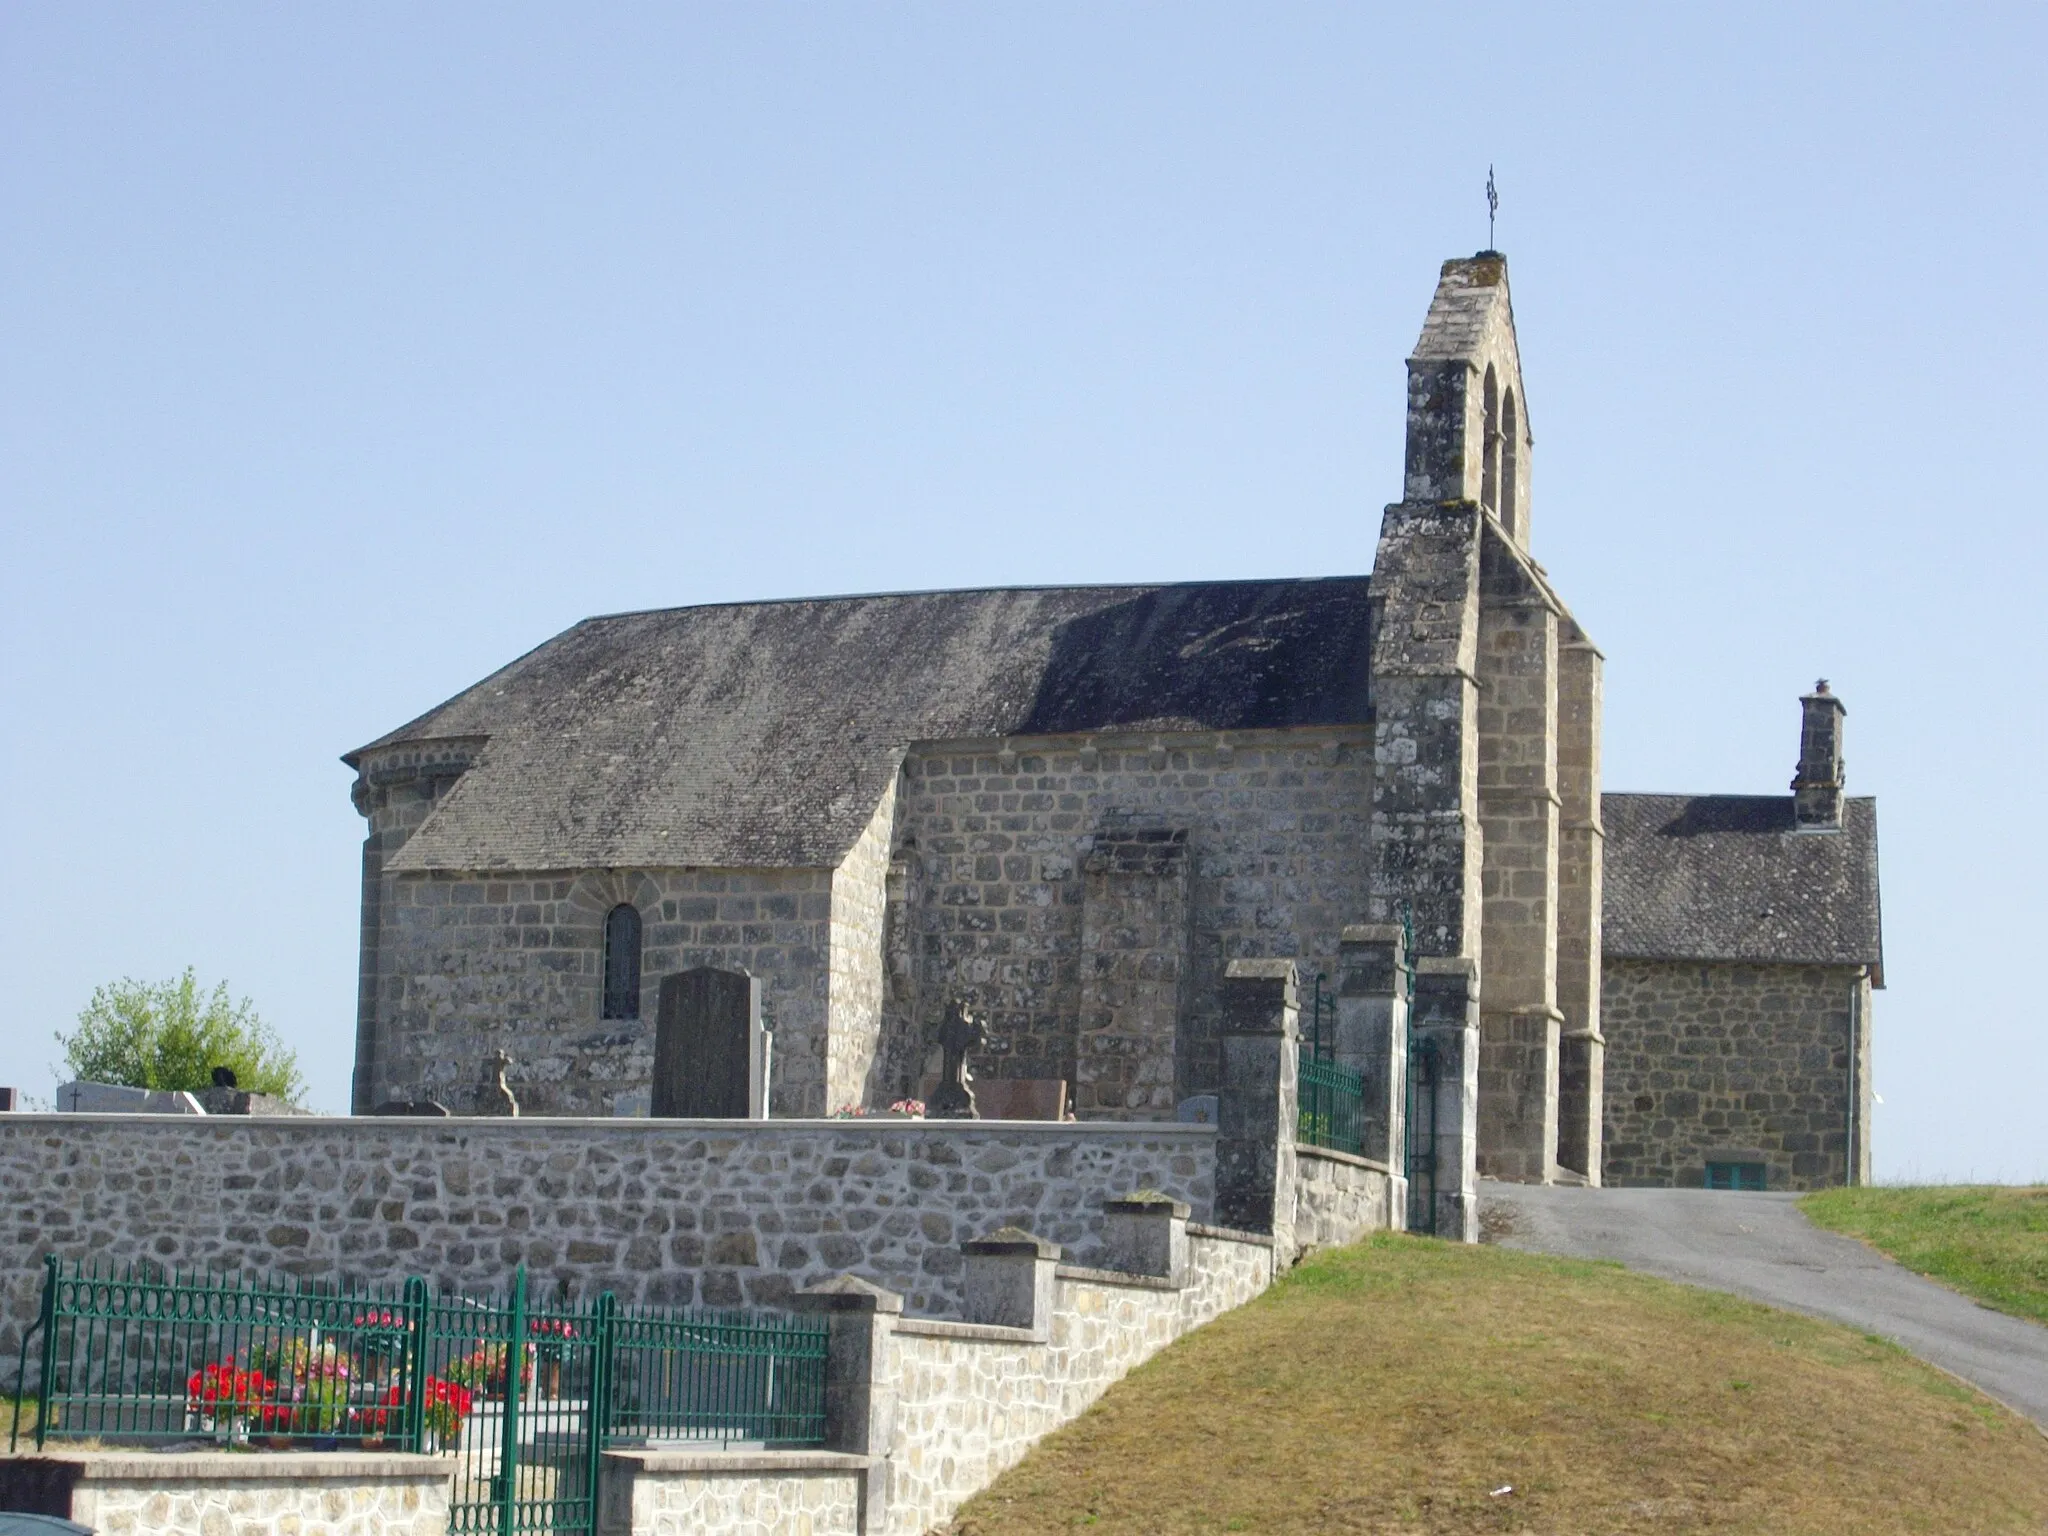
(523, 1394)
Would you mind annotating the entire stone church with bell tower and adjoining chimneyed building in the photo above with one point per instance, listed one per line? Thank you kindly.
(1078, 806)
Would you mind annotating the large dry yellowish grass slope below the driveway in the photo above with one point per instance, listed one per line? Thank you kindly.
(1396, 1385)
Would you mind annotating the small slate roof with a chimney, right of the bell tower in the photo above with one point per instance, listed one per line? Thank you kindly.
(1725, 878)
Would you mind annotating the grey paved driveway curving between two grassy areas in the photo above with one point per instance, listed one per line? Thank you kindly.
(1760, 1246)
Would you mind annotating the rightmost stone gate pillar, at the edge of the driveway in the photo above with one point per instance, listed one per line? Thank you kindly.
(1445, 1134)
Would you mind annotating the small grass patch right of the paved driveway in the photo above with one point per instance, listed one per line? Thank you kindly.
(1986, 1240)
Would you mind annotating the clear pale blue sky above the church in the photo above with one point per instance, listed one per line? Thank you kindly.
(351, 351)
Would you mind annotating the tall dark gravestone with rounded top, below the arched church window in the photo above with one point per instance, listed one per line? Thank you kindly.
(710, 1048)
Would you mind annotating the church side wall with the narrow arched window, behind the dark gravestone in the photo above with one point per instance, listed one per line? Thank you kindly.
(480, 964)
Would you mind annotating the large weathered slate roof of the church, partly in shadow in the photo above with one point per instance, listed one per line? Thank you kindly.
(765, 734)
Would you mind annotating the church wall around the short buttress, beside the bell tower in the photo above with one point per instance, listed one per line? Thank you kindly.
(1277, 867)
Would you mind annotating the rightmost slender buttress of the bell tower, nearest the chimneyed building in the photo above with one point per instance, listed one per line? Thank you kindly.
(1580, 882)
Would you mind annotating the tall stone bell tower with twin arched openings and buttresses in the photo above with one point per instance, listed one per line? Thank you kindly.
(1486, 812)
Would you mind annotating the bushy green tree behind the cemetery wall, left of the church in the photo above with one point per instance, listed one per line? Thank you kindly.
(173, 1035)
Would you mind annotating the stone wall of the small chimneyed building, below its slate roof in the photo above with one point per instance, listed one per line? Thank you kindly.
(1727, 1064)
